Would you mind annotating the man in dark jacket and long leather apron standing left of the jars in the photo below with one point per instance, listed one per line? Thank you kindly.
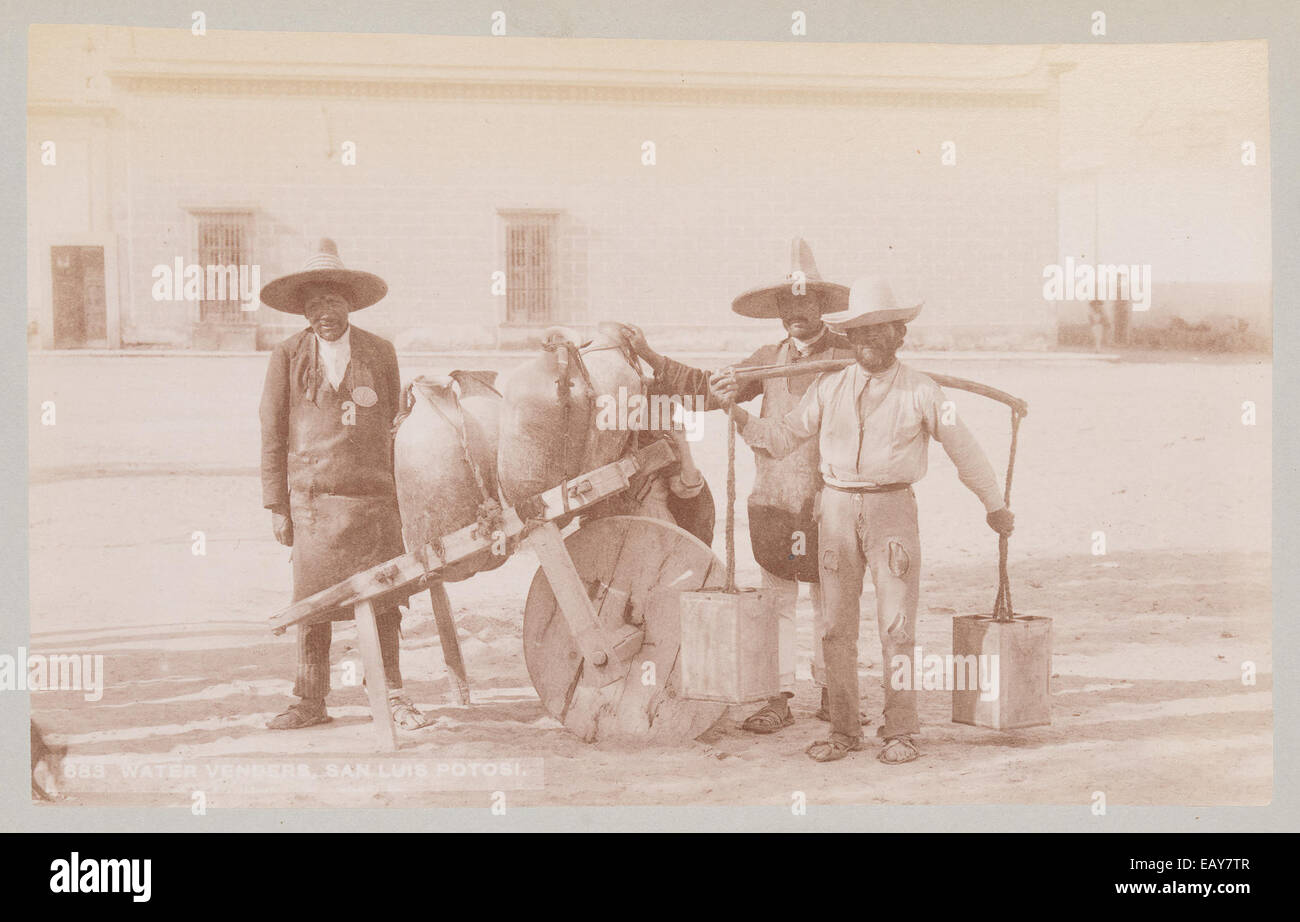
(327, 464)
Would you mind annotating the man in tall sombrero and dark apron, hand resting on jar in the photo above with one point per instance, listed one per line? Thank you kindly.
(781, 508)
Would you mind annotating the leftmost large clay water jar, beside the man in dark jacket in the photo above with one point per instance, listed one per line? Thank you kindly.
(439, 491)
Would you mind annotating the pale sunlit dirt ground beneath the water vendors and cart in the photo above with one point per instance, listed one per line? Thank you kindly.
(1150, 638)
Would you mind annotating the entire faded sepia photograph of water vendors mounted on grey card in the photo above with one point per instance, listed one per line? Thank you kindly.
(495, 422)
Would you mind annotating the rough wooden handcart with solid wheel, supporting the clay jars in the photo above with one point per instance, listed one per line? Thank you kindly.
(601, 625)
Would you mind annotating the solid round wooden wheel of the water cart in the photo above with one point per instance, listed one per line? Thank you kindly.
(651, 561)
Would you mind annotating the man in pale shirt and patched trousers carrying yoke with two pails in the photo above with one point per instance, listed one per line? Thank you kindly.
(873, 423)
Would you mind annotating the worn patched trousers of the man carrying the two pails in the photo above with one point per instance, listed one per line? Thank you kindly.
(877, 533)
